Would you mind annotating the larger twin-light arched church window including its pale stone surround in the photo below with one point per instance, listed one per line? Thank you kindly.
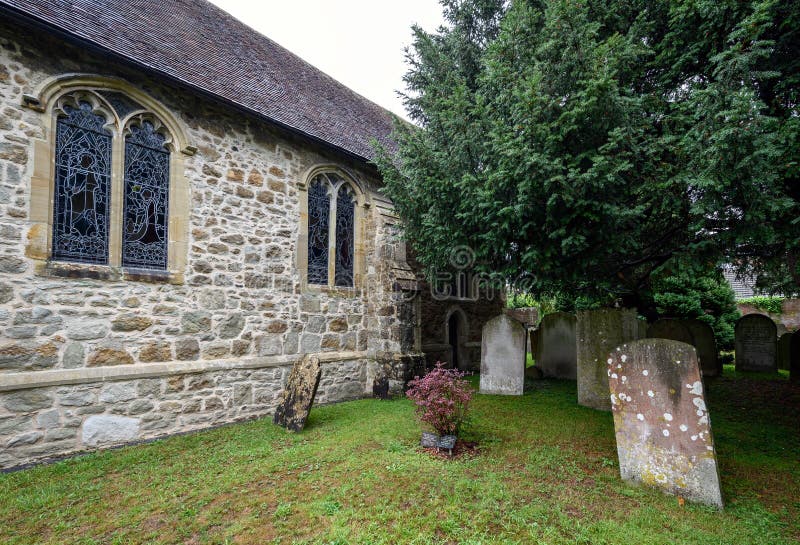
(108, 187)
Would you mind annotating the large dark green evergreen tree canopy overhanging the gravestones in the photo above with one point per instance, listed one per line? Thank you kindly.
(590, 143)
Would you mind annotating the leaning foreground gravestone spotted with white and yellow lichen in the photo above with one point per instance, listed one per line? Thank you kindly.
(661, 420)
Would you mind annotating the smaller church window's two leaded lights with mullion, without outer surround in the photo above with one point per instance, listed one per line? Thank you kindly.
(331, 230)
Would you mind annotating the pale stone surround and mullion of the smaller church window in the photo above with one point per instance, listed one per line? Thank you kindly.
(360, 213)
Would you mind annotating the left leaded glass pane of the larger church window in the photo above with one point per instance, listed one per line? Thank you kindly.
(82, 181)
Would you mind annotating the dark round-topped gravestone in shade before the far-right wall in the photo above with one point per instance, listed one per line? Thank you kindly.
(756, 343)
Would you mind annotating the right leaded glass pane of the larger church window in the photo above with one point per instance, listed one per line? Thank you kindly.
(144, 237)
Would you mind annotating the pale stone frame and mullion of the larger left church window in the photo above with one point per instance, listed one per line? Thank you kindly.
(47, 100)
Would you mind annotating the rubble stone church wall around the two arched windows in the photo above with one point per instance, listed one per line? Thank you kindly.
(239, 301)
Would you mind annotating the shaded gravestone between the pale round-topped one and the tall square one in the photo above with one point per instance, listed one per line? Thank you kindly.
(557, 356)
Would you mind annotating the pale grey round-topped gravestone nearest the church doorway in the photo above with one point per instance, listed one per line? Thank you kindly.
(503, 345)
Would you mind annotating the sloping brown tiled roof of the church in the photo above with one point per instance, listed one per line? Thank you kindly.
(204, 47)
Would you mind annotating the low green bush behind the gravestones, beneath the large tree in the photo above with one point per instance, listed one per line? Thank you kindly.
(685, 292)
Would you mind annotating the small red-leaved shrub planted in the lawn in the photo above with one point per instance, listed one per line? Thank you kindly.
(442, 398)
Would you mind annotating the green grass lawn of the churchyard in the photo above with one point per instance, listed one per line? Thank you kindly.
(546, 473)
